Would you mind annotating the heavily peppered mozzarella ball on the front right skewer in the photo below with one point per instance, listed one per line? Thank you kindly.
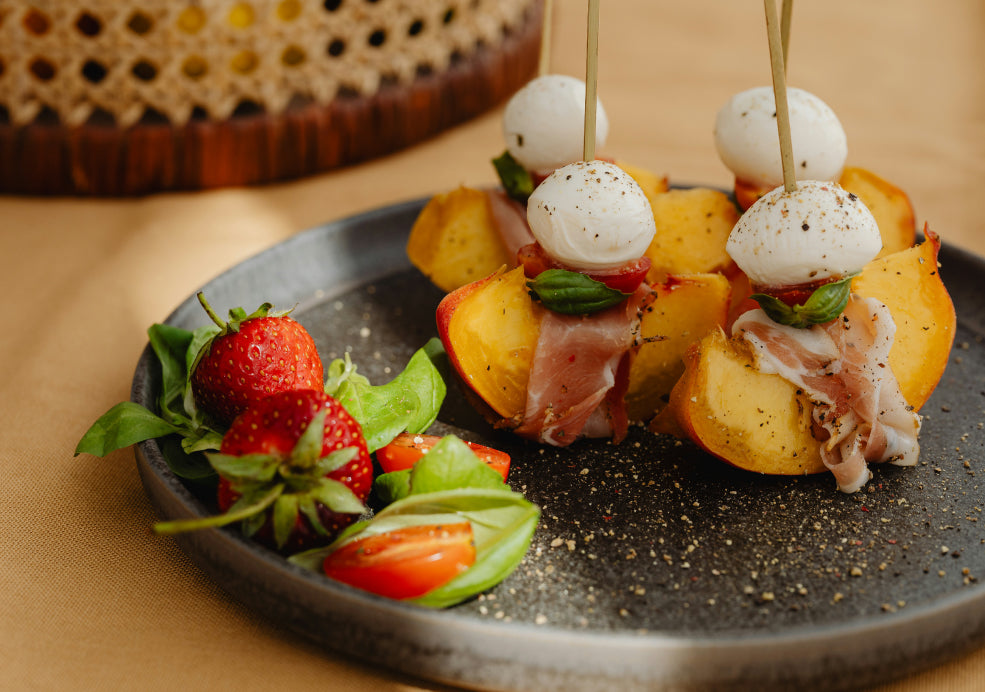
(817, 232)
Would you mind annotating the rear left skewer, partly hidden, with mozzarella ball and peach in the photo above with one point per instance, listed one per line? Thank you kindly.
(468, 233)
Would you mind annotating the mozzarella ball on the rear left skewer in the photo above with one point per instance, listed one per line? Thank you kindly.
(544, 123)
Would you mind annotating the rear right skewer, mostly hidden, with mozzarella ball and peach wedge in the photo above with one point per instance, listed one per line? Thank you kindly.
(746, 140)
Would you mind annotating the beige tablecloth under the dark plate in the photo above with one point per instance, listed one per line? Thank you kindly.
(89, 599)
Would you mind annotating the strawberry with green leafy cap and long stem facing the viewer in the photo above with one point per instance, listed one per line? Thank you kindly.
(294, 468)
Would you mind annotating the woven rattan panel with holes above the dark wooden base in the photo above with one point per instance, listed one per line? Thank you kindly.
(124, 57)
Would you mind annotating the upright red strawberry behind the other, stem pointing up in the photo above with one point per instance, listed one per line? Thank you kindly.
(252, 356)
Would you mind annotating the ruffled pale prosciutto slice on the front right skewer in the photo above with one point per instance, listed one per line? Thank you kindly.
(859, 412)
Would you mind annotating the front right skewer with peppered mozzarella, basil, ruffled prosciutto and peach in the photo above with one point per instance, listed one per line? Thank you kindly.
(829, 371)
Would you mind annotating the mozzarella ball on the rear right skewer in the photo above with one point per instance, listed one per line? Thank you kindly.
(748, 142)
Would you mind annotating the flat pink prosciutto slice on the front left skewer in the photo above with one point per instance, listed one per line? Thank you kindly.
(580, 373)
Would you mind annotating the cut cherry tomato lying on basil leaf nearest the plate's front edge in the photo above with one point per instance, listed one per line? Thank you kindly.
(404, 563)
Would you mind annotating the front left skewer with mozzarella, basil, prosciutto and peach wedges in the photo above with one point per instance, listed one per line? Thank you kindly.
(548, 347)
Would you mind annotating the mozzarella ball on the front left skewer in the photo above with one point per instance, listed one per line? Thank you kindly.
(591, 215)
